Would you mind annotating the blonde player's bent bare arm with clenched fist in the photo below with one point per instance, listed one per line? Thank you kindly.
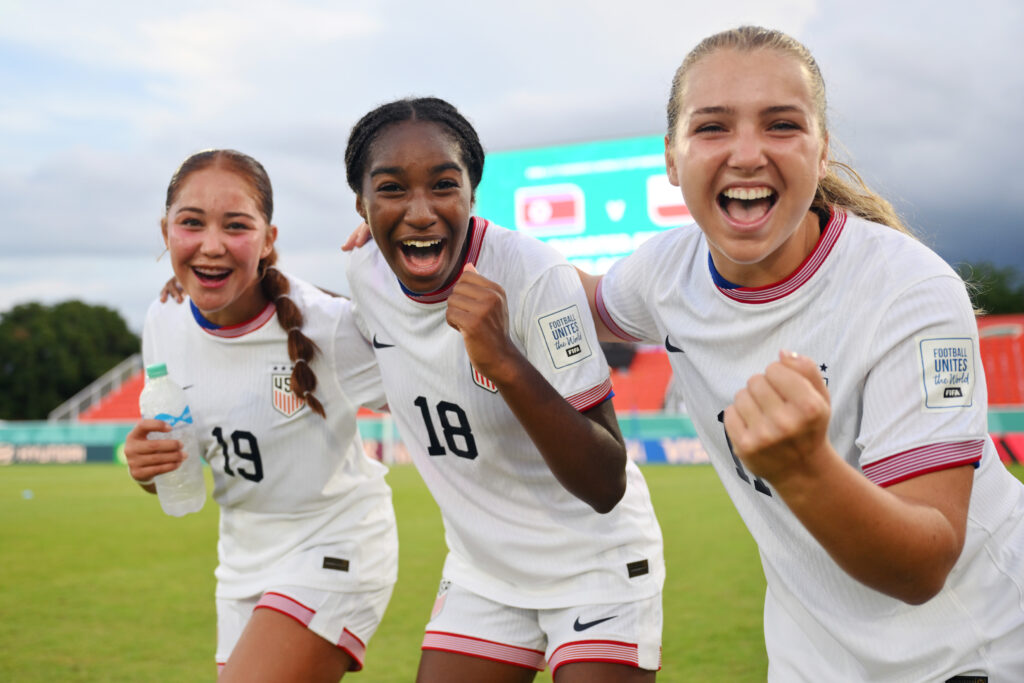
(902, 541)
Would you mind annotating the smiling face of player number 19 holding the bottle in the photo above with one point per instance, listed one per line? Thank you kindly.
(217, 236)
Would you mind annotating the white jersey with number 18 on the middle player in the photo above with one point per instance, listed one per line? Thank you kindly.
(515, 535)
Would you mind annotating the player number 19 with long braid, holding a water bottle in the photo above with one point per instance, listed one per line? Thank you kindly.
(275, 371)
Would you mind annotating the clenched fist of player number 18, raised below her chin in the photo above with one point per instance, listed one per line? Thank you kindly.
(478, 309)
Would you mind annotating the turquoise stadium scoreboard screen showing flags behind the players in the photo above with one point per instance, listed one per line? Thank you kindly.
(594, 202)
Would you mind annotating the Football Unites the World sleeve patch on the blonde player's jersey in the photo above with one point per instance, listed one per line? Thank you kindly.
(949, 371)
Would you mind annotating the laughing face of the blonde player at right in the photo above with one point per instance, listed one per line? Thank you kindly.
(748, 152)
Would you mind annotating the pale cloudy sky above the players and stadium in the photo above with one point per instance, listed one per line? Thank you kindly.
(100, 103)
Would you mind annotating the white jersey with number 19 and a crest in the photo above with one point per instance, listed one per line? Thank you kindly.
(288, 482)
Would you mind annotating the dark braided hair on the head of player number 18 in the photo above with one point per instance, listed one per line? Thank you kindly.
(435, 110)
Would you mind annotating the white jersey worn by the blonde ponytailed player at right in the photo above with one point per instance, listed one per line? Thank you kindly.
(893, 330)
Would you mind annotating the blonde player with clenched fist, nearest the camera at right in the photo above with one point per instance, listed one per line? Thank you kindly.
(830, 363)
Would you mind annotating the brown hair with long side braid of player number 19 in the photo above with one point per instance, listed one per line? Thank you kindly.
(302, 350)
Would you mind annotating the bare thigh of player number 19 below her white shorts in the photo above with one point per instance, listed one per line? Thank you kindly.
(276, 649)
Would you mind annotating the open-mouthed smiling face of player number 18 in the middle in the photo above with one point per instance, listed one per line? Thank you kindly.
(417, 198)
